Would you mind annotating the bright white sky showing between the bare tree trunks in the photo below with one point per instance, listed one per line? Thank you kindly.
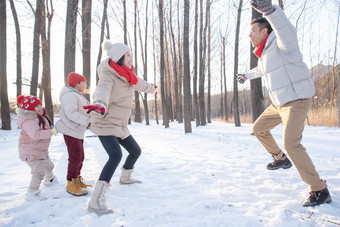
(316, 49)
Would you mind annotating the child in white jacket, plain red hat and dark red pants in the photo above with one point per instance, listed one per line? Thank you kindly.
(73, 123)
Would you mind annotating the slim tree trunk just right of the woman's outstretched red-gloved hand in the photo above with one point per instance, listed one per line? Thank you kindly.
(162, 64)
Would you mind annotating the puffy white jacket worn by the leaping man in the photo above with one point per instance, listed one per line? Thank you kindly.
(286, 76)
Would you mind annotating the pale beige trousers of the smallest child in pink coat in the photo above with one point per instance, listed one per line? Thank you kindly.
(39, 170)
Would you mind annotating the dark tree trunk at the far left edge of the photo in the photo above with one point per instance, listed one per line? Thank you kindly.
(5, 117)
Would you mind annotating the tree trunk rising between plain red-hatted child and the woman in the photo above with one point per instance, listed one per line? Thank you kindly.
(86, 50)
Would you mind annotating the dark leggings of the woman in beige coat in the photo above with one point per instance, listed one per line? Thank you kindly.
(112, 148)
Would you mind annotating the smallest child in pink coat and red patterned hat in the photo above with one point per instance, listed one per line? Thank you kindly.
(34, 140)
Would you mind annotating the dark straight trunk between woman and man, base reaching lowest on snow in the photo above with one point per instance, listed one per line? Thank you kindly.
(186, 64)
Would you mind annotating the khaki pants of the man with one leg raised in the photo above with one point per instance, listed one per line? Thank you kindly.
(292, 115)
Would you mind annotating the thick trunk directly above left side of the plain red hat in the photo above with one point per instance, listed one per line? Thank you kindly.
(70, 38)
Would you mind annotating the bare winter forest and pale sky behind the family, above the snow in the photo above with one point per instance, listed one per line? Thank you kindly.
(191, 49)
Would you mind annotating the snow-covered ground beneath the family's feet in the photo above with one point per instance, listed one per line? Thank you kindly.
(215, 176)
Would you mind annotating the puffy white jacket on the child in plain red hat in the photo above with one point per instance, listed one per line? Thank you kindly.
(73, 118)
